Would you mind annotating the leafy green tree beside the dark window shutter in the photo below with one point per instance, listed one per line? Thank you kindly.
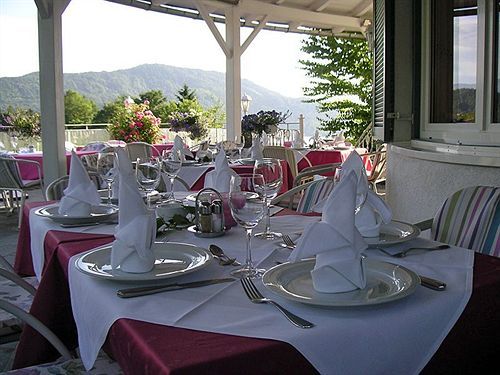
(341, 82)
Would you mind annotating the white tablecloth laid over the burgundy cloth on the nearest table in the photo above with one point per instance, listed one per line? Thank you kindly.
(398, 337)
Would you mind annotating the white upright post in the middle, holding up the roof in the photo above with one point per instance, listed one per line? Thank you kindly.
(233, 74)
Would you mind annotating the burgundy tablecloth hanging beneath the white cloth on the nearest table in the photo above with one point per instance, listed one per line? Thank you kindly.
(161, 349)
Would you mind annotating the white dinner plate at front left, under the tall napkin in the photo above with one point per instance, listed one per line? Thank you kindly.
(172, 259)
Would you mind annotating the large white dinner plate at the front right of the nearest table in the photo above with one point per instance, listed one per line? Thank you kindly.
(385, 282)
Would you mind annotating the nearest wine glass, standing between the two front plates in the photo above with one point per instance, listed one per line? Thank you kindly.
(247, 202)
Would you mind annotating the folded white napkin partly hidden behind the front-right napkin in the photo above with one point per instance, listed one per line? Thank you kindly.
(373, 210)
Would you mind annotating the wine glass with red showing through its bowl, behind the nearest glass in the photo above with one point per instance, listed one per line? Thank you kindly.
(271, 170)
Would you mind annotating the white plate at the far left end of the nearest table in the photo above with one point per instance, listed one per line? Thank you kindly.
(98, 214)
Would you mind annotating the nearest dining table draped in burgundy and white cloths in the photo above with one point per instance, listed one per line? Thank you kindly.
(465, 345)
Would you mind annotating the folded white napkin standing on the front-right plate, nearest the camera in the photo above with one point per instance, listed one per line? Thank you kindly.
(336, 242)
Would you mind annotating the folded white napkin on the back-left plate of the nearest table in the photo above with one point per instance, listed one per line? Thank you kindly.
(81, 192)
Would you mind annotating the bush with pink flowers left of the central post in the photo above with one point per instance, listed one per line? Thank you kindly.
(135, 123)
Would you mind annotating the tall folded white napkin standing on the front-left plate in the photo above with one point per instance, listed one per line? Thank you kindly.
(136, 230)
